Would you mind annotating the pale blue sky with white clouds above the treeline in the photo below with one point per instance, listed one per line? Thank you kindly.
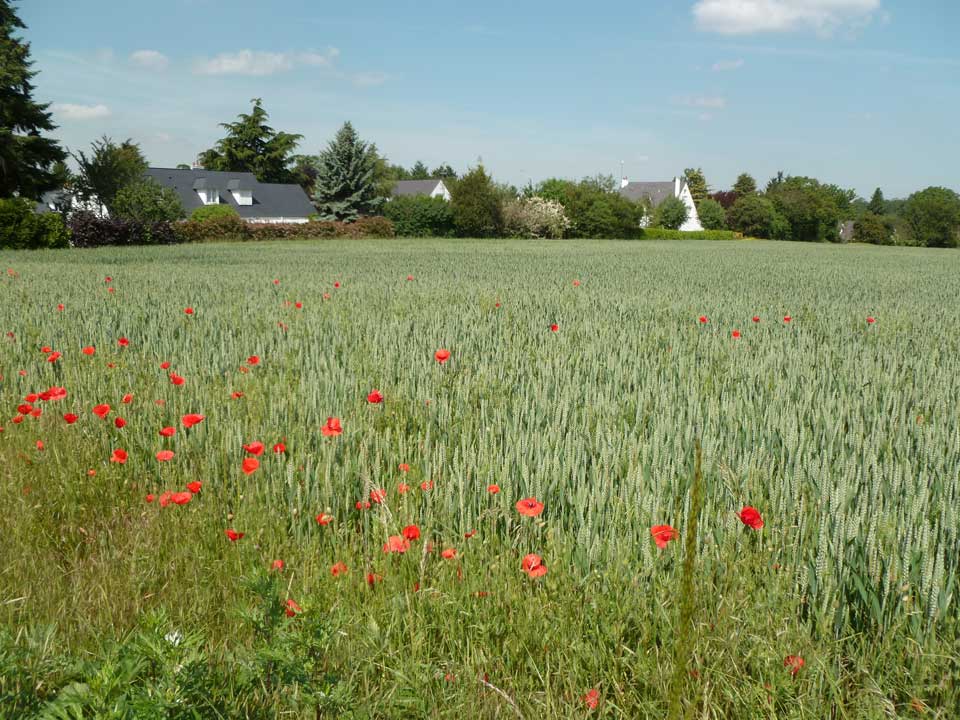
(857, 92)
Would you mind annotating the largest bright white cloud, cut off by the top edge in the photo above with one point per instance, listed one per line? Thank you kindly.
(742, 17)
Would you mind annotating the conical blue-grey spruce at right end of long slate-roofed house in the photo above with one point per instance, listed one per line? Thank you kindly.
(345, 186)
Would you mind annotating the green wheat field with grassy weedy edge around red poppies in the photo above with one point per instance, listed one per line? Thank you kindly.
(843, 434)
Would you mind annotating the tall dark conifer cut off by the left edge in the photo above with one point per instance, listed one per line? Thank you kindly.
(27, 158)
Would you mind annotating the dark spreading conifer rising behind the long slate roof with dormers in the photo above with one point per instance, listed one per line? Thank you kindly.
(253, 146)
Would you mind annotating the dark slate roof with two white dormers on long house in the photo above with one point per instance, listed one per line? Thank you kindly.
(269, 199)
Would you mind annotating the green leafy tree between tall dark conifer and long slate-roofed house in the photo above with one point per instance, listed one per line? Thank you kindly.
(108, 169)
